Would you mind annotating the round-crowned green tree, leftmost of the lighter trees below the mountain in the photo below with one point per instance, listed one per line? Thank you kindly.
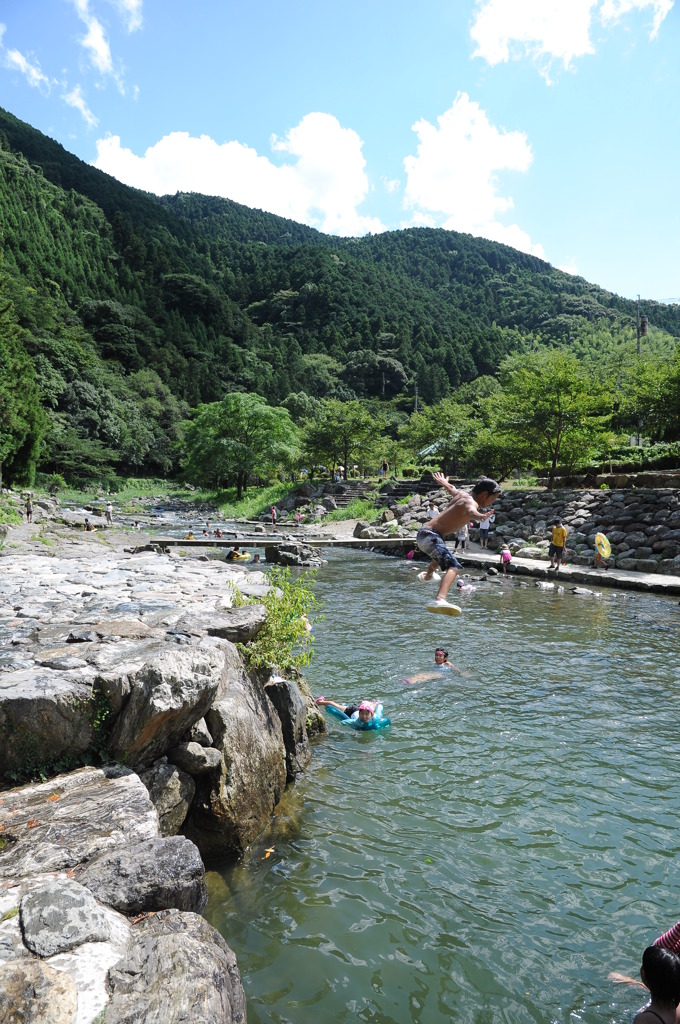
(231, 441)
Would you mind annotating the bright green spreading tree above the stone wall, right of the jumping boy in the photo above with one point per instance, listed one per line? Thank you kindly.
(551, 409)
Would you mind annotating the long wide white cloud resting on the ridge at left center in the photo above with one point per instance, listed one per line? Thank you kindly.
(323, 187)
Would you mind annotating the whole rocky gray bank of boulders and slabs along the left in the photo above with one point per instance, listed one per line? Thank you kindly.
(126, 659)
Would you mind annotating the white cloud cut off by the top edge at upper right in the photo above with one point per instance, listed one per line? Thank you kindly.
(547, 31)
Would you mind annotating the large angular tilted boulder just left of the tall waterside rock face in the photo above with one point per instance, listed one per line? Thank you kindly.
(172, 693)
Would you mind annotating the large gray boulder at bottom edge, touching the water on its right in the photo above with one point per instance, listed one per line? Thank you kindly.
(179, 969)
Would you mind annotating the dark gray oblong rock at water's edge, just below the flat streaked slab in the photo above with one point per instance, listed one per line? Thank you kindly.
(152, 876)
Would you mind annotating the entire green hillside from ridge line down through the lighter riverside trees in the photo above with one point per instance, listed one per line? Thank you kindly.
(192, 337)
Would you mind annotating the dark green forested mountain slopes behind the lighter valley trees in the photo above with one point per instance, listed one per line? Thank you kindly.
(134, 310)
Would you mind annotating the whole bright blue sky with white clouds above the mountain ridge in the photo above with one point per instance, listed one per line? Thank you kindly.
(550, 125)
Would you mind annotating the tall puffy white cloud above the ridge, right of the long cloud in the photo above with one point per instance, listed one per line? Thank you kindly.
(454, 175)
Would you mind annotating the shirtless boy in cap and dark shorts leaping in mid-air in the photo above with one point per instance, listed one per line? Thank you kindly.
(431, 539)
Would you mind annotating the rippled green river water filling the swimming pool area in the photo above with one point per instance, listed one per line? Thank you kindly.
(511, 840)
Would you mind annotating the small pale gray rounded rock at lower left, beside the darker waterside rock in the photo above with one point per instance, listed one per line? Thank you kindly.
(59, 916)
